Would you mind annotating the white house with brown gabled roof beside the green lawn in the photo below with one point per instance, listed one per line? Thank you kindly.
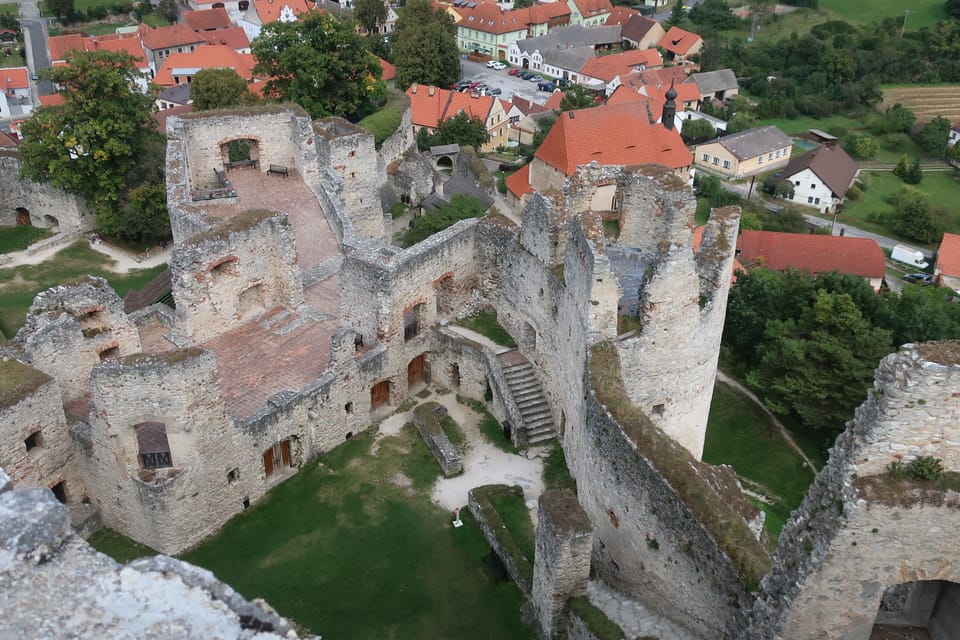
(821, 177)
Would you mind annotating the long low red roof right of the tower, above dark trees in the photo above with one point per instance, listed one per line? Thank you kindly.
(812, 253)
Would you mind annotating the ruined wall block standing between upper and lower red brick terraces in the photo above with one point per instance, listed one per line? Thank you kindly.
(224, 277)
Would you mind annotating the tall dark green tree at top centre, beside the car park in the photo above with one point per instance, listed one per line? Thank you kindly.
(425, 47)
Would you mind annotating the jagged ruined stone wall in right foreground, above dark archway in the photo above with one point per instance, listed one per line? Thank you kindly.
(859, 532)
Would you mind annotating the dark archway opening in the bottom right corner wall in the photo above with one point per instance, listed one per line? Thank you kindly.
(922, 609)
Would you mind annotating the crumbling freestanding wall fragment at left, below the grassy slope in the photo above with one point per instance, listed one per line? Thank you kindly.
(70, 329)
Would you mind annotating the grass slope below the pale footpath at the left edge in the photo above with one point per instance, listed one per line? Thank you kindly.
(19, 285)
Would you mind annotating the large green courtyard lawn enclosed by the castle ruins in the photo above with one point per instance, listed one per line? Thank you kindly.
(347, 552)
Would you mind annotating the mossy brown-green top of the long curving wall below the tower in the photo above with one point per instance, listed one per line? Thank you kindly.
(680, 469)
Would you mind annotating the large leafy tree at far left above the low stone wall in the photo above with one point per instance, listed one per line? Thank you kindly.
(90, 143)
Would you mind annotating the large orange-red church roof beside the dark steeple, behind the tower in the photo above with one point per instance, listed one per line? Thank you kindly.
(611, 135)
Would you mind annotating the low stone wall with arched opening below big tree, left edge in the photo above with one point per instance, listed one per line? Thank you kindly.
(46, 205)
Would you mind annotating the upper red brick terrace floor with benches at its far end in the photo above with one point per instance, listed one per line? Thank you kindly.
(316, 241)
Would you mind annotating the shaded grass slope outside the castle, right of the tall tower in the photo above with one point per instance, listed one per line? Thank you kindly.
(740, 434)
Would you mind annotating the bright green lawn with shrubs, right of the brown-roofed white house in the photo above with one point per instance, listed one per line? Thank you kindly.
(870, 211)
